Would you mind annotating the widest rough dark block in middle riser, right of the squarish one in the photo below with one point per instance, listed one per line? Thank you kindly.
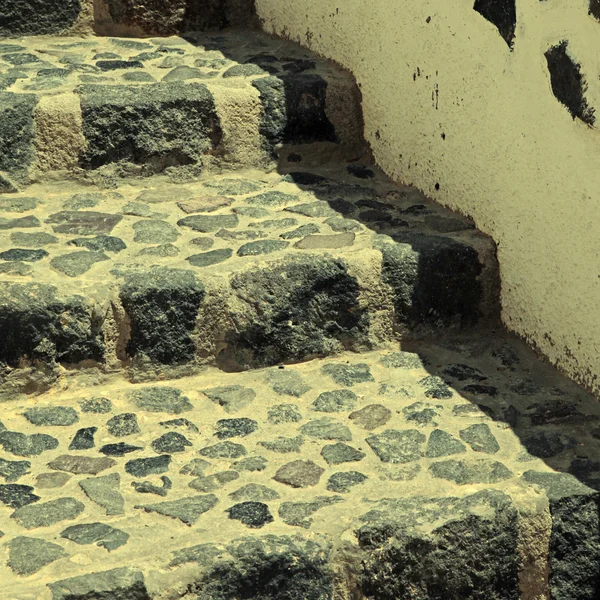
(308, 305)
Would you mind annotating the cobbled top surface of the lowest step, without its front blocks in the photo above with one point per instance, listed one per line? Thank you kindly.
(93, 473)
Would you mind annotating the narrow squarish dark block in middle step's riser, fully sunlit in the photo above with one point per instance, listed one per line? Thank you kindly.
(162, 305)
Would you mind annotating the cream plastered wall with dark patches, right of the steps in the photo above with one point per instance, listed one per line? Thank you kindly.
(446, 102)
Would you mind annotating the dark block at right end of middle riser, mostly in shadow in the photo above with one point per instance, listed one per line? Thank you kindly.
(435, 280)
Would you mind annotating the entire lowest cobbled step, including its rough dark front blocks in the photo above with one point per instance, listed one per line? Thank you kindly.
(457, 469)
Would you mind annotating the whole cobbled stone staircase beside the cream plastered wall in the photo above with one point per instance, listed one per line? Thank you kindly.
(238, 361)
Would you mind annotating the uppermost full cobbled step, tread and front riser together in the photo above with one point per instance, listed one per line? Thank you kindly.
(107, 107)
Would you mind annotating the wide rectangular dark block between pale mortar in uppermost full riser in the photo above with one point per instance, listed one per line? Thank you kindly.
(162, 124)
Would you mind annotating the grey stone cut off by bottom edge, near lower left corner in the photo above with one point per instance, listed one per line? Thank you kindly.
(116, 584)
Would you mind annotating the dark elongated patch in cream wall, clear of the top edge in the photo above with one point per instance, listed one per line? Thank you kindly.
(568, 84)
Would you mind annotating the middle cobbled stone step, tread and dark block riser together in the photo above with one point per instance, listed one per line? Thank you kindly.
(243, 271)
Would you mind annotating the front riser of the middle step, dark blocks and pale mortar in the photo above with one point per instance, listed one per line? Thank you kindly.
(170, 322)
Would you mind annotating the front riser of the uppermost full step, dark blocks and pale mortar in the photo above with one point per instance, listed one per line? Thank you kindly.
(145, 129)
